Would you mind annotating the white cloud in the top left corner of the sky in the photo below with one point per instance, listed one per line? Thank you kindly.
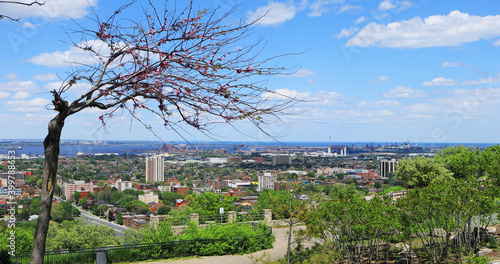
(51, 9)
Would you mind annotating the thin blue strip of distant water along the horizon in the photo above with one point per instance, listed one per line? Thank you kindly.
(124, 149)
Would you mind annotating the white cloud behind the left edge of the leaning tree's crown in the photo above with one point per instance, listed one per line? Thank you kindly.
(72, 55)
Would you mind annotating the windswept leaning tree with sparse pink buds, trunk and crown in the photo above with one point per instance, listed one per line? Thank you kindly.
(187, 66)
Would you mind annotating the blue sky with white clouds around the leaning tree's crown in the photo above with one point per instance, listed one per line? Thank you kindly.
(423, 71)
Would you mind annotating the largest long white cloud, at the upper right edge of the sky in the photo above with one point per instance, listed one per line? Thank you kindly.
(433, 31)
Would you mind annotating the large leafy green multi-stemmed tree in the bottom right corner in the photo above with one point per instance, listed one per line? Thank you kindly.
(450, 205)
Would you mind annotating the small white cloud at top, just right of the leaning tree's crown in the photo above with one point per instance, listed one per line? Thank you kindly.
(274, 14)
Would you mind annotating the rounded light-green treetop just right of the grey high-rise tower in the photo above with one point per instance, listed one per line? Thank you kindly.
(420, 171)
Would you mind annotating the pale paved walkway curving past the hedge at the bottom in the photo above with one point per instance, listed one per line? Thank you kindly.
(277, 252)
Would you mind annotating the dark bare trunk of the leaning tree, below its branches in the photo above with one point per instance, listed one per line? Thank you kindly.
(51, 146)
